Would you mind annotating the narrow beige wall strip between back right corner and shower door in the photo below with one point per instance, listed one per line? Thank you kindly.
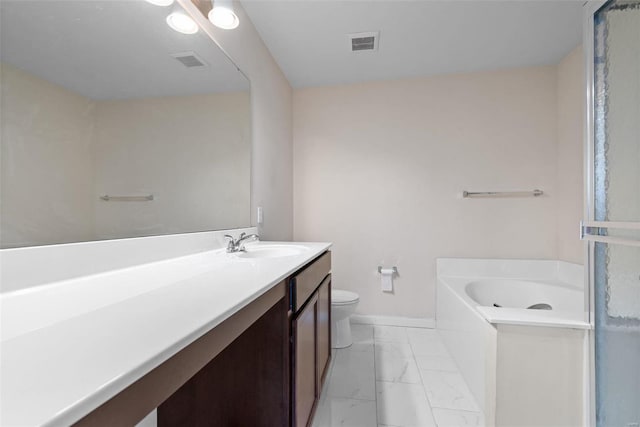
(570, 194)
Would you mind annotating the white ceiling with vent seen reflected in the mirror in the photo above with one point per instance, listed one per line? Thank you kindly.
(105, 49)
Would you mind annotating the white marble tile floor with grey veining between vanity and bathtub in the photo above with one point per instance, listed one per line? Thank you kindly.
(395, 377)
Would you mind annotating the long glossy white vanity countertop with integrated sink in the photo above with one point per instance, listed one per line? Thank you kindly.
(70, 346)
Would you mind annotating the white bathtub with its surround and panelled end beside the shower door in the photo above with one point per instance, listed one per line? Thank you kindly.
(516, 361)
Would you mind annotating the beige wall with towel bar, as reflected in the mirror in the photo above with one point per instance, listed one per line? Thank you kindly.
(191, 152)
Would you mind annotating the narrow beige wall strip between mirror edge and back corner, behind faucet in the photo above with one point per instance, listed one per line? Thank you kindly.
(272, 161)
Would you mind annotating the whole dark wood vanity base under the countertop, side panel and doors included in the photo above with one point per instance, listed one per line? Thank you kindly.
(270, 373)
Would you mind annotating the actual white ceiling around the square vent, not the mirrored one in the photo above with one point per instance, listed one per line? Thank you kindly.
(308, 38)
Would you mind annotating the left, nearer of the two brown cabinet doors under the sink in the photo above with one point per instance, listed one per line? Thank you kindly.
(305, 386)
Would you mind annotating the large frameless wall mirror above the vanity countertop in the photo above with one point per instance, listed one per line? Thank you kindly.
(115, 125)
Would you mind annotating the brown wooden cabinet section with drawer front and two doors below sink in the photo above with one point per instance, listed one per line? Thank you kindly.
(310, 338)
